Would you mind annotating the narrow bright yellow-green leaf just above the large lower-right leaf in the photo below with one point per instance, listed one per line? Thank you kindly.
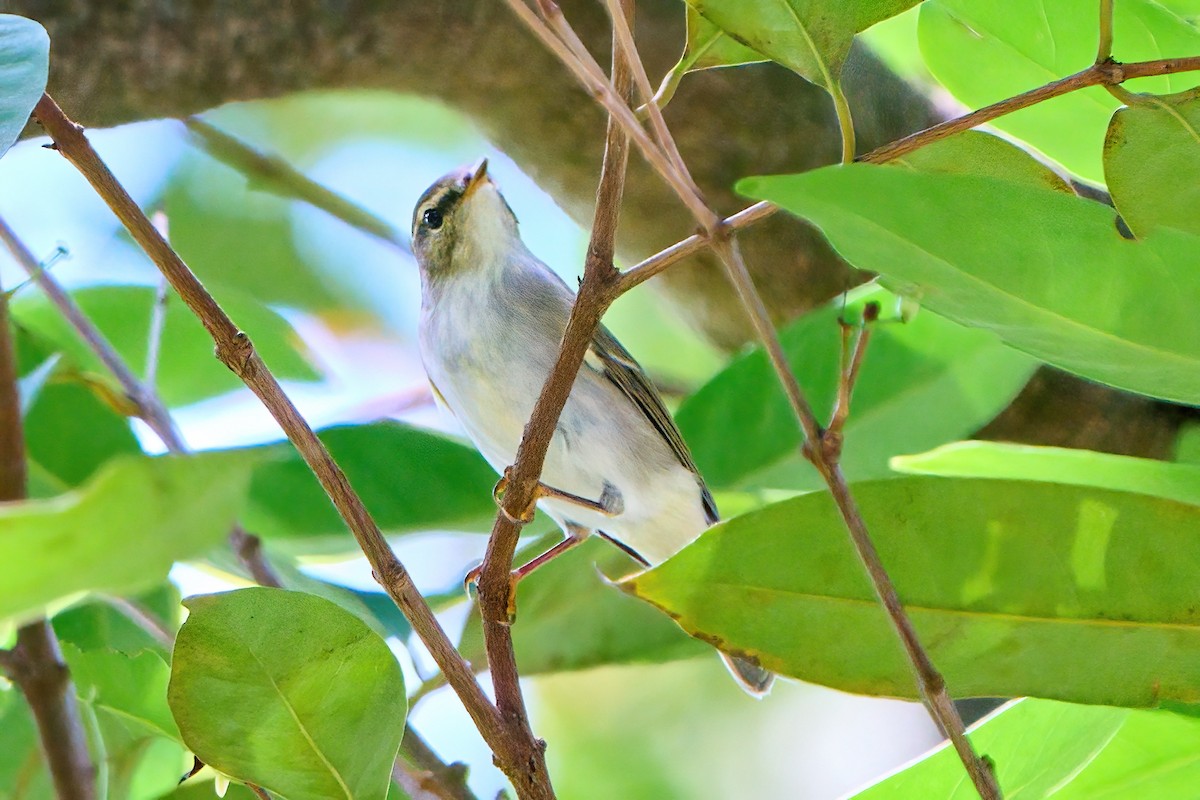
(1058, 466)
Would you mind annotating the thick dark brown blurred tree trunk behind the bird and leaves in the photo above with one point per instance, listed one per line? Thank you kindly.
(123, 61)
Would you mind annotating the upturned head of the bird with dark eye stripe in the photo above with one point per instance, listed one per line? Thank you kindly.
(463, 222)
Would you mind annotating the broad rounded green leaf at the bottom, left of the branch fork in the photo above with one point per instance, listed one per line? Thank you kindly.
(289, 691)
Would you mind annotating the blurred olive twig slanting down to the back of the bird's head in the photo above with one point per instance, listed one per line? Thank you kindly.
(274, 175)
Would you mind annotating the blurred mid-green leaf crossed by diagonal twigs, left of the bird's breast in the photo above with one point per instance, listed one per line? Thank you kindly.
(188, 370)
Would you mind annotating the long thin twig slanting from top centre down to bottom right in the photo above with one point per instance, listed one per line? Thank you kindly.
(929, 681)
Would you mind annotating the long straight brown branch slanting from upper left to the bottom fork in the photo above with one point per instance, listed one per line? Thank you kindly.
(514, 749)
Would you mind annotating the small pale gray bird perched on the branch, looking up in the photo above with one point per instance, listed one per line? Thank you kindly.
(493, 320)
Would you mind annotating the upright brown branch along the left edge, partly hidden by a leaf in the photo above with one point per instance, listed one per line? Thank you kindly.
(35, 664)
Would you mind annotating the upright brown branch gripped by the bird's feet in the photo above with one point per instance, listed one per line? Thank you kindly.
(595, 297)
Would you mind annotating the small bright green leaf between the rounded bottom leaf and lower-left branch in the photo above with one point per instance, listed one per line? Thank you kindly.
(133, 688)
